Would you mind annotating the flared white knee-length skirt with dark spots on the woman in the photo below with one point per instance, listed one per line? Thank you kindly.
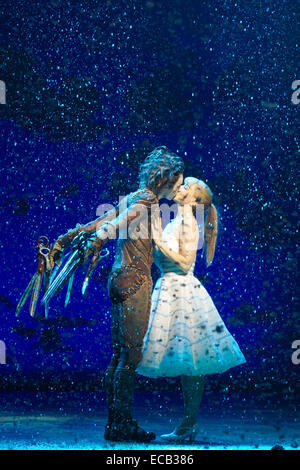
(186, 335)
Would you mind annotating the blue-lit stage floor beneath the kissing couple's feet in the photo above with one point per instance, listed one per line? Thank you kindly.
(76, 420)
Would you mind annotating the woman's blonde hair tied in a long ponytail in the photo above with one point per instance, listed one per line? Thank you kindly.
(203, 195)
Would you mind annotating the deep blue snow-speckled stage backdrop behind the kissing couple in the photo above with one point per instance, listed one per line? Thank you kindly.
(91, 88)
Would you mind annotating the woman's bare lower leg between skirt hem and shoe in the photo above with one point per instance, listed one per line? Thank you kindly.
(192, 391)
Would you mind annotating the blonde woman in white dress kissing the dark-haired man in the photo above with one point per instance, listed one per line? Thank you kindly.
(186, 336)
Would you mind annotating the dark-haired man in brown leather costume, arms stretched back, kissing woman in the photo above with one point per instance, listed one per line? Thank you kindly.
(129, 283)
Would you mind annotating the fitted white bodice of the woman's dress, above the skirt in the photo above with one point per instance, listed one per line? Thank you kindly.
(170, 237)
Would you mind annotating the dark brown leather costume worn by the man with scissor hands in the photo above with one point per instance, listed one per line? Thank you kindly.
(130, 287)
